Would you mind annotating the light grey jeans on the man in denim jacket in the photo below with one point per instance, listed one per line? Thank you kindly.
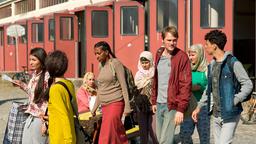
(224, 130)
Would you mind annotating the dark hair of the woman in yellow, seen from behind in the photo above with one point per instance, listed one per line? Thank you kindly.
(56, 64)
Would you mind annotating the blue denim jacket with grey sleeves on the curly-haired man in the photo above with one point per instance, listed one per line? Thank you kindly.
(230, 94)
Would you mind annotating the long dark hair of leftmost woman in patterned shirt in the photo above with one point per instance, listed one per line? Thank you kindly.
(40, 54)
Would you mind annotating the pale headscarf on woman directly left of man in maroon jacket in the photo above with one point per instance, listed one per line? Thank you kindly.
(143, 77)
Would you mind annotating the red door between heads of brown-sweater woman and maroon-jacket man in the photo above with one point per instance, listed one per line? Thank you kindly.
(129, 32)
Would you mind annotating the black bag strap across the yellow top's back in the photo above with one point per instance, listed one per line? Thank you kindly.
(87, 137)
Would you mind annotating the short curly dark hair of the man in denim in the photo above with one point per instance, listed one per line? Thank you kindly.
(216, 37)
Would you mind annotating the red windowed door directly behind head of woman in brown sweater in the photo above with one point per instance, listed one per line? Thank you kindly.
(99, 27)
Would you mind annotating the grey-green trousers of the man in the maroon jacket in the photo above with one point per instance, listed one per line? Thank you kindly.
(165, 126)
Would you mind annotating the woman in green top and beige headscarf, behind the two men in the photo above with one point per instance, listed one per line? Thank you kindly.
(199, 81)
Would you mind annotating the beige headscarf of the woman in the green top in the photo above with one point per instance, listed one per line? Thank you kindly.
(201, 64)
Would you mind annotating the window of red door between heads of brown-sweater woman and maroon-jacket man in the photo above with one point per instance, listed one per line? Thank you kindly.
(129, 20)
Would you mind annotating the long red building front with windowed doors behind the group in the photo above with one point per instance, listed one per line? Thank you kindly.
(129, 27)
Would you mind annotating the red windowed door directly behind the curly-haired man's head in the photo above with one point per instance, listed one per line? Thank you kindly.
(212, 14)
